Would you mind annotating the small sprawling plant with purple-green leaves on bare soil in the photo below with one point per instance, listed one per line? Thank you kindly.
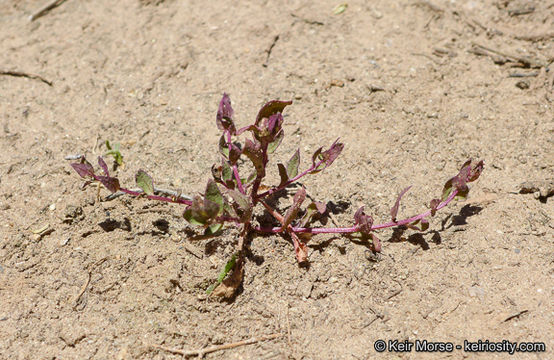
(230, 198)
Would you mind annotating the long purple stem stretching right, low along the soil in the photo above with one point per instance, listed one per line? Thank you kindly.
(354, 229)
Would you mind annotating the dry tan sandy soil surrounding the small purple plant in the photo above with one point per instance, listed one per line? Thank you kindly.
(413, 88)
